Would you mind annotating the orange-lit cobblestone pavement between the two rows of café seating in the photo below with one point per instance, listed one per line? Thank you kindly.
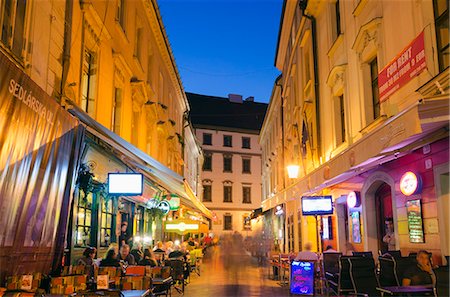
(226, 272)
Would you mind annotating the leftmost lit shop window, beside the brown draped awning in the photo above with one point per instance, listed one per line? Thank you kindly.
(84, 217)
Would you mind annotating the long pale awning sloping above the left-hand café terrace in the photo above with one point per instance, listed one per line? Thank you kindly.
(152, 169)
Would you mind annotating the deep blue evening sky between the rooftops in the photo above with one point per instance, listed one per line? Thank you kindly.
(224, 46)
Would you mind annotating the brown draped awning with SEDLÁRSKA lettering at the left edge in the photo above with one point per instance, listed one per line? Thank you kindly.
(39, 149)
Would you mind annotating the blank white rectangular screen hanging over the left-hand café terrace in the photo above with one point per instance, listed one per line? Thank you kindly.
(125, 184)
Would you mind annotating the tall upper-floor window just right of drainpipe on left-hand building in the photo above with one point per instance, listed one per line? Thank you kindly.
(88, 83)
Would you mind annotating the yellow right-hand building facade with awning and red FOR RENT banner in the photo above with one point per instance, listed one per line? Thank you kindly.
(363, 99)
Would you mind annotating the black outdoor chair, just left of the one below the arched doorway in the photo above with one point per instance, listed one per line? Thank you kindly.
(363, 276)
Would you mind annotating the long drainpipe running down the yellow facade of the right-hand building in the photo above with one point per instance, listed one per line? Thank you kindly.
(312, 19)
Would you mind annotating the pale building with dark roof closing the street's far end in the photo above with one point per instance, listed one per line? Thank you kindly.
(228, 129)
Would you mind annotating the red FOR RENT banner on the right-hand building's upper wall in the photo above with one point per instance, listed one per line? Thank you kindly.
(406, 65)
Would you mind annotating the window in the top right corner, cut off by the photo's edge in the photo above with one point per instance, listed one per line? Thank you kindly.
(442, 32)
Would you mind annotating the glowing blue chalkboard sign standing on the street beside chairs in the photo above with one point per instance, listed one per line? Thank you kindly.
(302, 278)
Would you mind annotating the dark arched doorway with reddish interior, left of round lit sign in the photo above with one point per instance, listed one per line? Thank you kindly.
(384, 218)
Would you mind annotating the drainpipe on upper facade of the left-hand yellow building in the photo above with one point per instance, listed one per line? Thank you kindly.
(67, 44)
